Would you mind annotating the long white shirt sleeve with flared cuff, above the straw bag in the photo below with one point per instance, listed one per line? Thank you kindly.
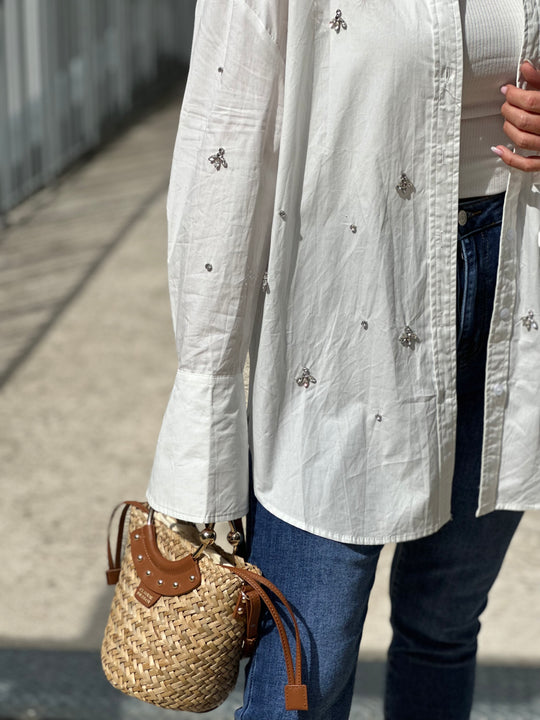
(220, 207)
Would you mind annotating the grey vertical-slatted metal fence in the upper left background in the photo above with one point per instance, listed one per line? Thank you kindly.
(70, 70)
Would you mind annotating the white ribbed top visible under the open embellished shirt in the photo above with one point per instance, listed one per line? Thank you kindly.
(492, 37)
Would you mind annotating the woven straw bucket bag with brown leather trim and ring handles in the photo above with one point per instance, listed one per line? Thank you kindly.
(183, 614)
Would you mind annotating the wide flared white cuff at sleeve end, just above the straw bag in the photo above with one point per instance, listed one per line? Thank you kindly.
(200, 470)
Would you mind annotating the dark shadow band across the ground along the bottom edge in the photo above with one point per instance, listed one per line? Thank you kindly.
(68, 685)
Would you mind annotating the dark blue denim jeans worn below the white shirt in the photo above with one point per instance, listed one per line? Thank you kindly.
(439, 584)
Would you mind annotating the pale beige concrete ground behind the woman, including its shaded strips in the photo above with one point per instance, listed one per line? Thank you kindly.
(87, 362)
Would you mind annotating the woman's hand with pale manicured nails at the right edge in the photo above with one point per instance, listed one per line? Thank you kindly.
(522, 121)
